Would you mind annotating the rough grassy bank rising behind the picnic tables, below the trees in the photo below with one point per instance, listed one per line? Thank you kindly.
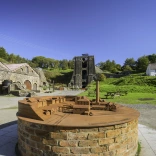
(132, 83)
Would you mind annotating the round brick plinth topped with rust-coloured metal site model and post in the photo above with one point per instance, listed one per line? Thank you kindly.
(74, 126)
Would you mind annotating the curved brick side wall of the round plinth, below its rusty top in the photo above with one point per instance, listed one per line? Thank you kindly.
(44, 140)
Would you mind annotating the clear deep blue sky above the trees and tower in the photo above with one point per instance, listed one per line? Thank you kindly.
(62, 29)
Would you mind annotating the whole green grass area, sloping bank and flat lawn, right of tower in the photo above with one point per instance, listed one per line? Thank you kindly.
(141, 89)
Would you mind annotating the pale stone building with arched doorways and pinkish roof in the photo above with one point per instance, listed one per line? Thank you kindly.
(22, 75)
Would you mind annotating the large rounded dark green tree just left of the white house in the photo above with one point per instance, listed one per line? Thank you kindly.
(142, 63)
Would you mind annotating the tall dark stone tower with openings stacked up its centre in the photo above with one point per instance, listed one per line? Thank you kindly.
(84, 70)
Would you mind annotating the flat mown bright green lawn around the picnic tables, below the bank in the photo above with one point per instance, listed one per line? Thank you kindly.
(130, 98)
